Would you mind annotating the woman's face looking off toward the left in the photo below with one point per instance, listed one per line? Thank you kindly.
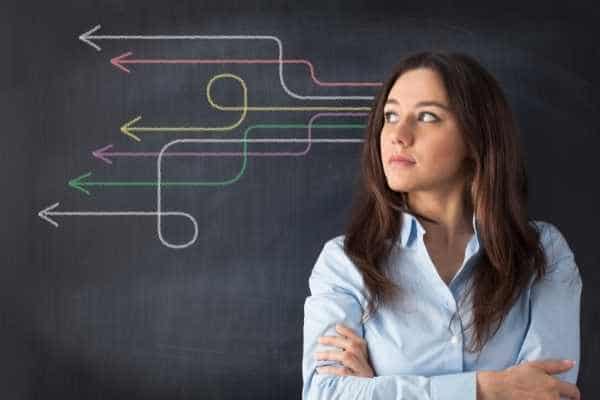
(425, 132)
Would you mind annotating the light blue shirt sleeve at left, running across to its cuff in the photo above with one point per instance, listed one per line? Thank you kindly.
(336, 297)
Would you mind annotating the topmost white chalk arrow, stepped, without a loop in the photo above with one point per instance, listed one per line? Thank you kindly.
(90, 37)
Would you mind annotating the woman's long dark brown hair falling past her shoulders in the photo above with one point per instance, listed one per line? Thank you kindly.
(496, 189)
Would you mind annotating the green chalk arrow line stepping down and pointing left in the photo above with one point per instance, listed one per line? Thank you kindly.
(79, 183)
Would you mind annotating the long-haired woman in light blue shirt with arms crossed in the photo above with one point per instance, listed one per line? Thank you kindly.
(442, 288)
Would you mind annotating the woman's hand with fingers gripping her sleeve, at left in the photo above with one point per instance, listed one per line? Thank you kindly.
(354, 354)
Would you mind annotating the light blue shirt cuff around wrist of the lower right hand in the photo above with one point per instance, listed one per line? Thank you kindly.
(461, 386)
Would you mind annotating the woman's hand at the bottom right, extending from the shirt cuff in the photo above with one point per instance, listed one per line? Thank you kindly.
(529, 380)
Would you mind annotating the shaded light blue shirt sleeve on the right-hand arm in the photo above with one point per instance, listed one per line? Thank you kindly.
(554, 307)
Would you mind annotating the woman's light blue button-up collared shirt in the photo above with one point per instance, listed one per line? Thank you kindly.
(415, 347)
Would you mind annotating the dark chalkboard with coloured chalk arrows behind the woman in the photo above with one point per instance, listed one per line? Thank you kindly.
(171, 171)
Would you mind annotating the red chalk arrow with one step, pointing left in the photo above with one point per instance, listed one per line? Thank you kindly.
(122, 60)
